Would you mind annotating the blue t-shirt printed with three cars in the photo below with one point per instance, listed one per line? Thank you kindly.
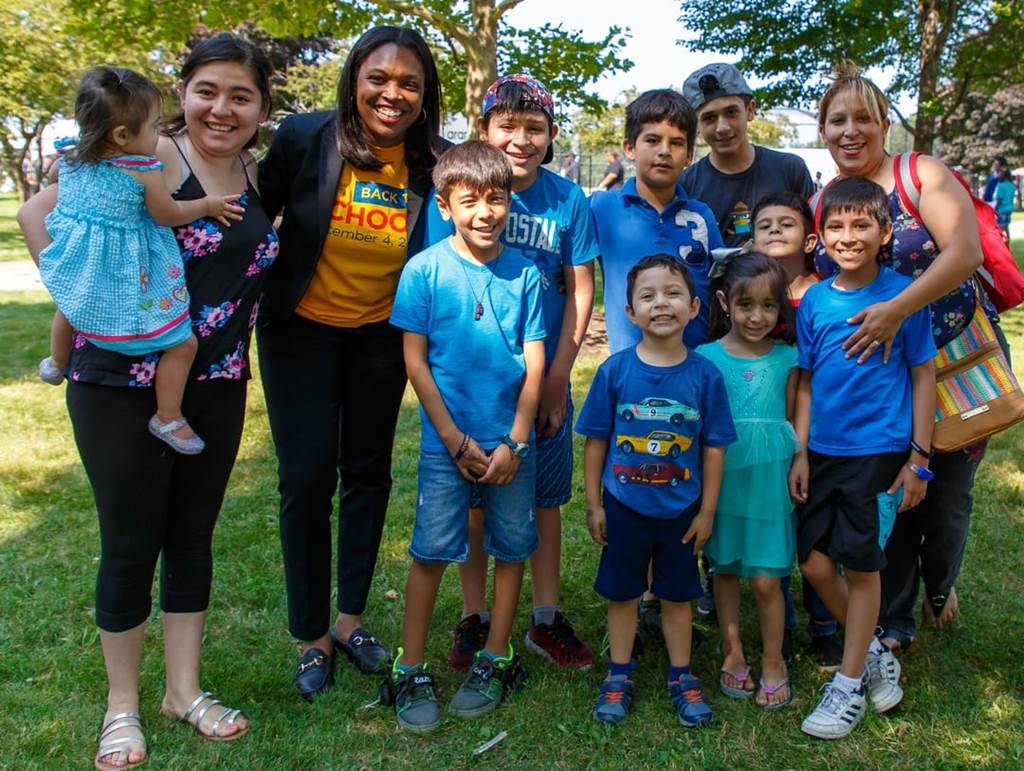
(657, 420)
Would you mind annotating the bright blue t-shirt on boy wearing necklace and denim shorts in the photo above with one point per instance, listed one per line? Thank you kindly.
(478, 365)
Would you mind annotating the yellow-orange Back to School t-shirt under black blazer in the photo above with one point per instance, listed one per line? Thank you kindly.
(365, 249)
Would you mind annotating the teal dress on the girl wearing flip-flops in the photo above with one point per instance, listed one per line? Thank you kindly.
(755, 528)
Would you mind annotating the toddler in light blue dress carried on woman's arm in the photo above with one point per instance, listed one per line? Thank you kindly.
(114, 268)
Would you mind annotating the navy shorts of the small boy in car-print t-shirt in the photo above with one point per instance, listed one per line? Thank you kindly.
(635, 541)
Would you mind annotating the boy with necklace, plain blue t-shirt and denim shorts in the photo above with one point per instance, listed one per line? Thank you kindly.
(475, 353)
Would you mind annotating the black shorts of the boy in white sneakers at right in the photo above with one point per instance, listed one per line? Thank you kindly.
(841, 517)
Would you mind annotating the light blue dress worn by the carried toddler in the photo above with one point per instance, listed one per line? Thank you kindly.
(112, 271)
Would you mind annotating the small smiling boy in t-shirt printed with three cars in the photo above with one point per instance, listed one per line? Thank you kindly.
(657, 422)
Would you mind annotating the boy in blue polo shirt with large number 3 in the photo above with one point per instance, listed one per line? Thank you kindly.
(653, 213)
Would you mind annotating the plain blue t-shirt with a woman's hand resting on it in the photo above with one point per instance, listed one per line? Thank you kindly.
(860, 409)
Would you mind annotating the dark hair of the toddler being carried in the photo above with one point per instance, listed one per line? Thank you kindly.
(108, 98)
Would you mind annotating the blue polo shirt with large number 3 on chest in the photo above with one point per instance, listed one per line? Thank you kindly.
(629, 229)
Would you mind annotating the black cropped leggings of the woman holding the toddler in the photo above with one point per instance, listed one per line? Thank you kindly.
(152, 501)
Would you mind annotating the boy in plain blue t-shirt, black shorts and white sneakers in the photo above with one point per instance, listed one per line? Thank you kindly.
(867, 424)
